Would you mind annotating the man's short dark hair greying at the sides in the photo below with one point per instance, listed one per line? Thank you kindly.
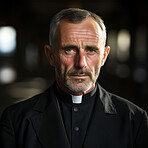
(73, 15)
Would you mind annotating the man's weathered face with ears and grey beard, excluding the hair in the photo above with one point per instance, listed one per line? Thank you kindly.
(78, 55)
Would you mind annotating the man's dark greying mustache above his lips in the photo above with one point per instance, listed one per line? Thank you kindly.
(73, 72)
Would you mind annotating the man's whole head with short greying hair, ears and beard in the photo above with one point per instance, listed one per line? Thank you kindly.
(77, 49)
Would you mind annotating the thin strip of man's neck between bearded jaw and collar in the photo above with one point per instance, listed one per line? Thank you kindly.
(65, 89)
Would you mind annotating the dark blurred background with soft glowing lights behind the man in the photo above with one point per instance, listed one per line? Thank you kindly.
(24, 26)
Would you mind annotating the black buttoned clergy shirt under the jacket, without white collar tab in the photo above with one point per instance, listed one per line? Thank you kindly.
(76, 117)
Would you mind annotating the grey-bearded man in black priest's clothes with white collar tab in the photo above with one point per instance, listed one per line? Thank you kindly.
(75, 112)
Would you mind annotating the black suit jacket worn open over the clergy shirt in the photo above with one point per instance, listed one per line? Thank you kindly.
(37, 123)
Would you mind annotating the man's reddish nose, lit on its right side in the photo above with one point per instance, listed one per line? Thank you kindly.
(80, 60)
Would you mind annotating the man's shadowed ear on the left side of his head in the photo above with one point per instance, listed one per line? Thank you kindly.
(49, 54)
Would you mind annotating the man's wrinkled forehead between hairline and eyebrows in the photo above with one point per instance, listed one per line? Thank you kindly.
(88, 30)
